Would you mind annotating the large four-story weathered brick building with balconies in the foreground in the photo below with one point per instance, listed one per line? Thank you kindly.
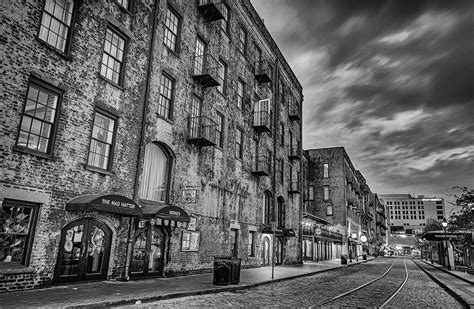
(143, 138)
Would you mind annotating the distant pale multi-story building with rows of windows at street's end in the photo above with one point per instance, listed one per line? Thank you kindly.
(409, 214)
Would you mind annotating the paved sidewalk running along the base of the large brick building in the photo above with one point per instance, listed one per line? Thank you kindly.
(107, 293)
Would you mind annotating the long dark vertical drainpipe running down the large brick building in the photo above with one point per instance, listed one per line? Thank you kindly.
(142, 135)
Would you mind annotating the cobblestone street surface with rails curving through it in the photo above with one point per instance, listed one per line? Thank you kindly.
(419, 291)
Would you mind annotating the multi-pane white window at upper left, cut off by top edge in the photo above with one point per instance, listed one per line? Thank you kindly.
(56, 21)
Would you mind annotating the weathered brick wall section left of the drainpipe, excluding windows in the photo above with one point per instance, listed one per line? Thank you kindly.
(65, 175)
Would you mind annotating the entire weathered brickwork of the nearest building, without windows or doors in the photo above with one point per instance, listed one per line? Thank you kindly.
(229, 195)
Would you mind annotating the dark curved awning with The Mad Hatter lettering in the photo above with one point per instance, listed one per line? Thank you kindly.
(111, 203)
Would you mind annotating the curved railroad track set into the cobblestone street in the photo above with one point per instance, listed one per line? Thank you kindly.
(377, 292)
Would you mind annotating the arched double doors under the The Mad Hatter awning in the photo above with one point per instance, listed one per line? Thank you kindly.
(84, 251)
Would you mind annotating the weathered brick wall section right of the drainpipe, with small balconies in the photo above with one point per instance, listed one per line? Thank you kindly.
(214, 171)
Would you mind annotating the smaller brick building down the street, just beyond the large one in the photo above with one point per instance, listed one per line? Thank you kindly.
(338, 194)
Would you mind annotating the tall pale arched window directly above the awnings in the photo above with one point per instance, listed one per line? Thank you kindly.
(154, 184)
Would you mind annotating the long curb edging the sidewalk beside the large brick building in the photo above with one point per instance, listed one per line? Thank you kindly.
(132, 301)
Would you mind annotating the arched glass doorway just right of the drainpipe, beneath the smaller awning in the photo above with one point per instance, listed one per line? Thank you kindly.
(148, 252)
